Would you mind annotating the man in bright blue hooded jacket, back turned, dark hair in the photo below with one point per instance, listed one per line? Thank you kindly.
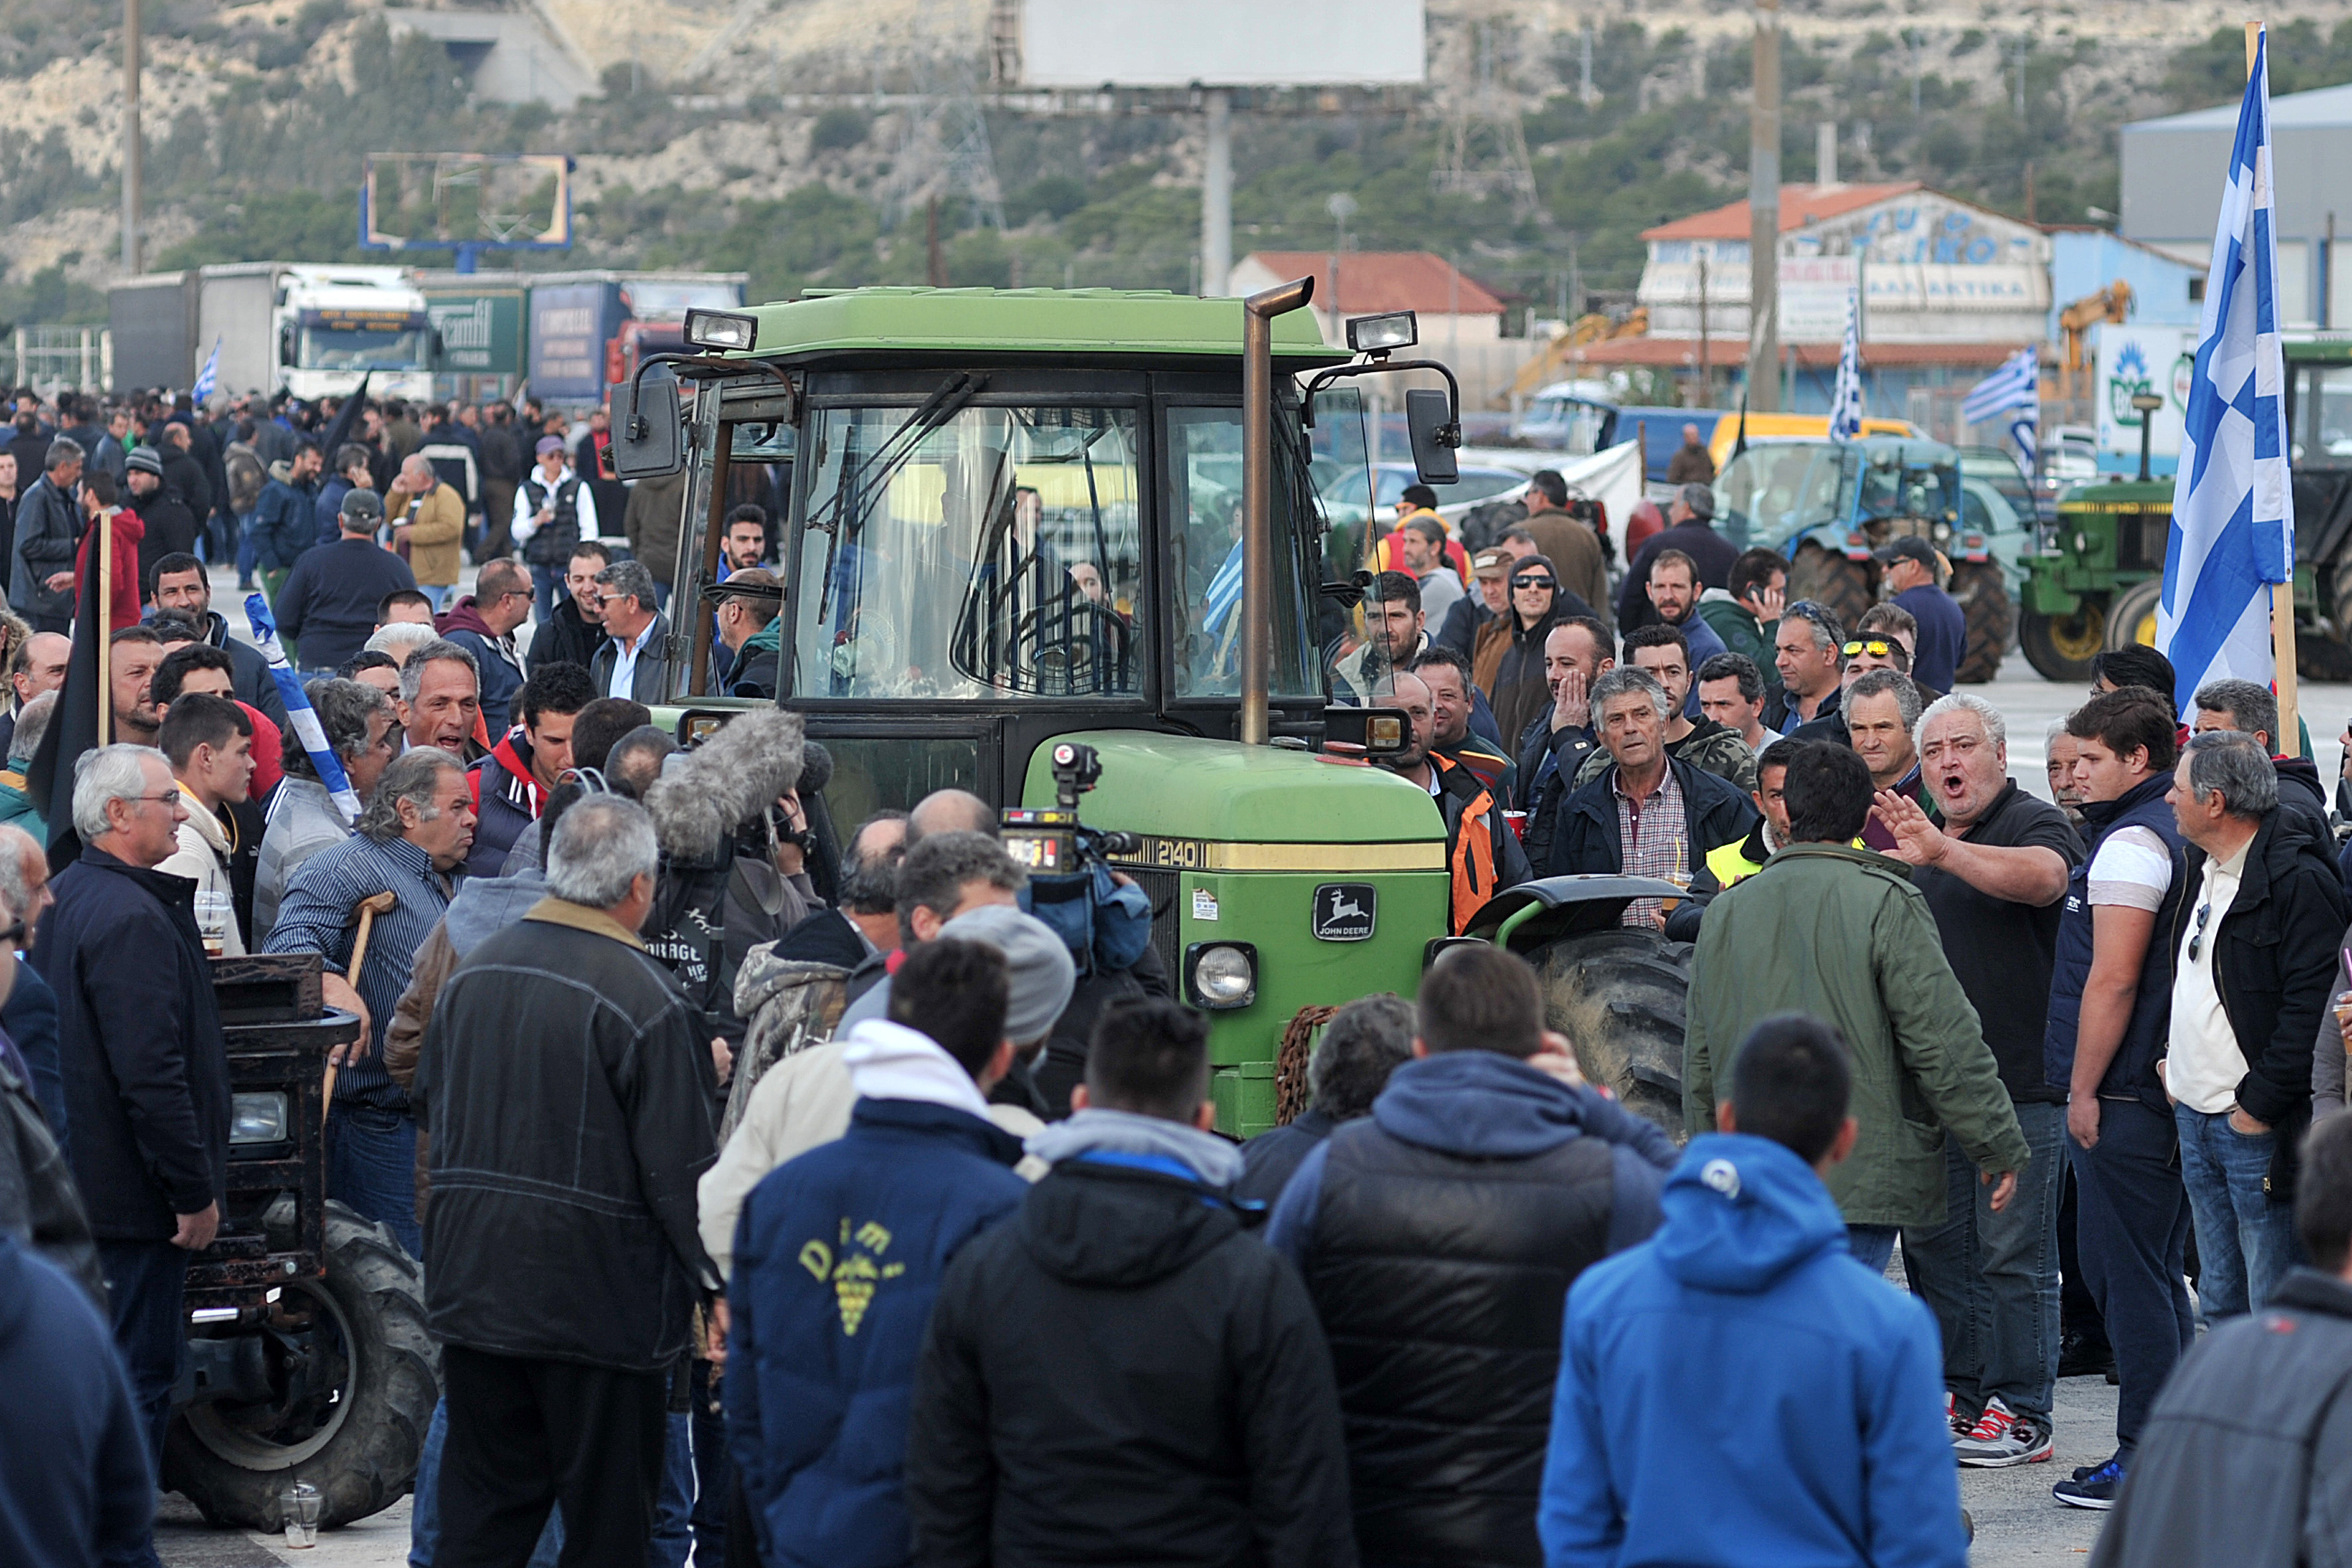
(1744, 1343)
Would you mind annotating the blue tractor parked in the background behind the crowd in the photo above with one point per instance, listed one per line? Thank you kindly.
(1829, 507)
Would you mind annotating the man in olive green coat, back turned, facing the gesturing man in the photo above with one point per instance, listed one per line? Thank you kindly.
(1845, 937)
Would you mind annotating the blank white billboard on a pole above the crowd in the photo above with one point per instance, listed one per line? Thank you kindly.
(1222, 43)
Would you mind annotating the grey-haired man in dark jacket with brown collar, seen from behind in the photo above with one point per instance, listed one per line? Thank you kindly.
(568, 1092)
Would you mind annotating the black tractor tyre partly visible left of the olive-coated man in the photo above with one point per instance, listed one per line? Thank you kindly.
(1619, 998)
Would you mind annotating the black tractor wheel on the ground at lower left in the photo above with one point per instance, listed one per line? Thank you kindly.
(352, 1383)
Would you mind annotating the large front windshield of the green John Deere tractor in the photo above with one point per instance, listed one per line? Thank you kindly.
(994, 554)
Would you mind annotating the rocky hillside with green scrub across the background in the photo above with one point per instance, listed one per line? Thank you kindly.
(789, 138)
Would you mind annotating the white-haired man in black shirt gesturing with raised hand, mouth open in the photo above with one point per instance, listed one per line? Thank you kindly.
(1993, 876)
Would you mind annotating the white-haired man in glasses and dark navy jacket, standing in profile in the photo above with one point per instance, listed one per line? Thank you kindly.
(147, 1071)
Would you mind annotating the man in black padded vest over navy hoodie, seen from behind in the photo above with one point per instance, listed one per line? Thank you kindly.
(1438, 1240)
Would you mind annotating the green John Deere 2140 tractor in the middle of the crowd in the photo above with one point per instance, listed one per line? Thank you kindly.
(1017, 518)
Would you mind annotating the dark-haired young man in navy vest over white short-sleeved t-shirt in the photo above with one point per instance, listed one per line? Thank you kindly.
(2111, 993)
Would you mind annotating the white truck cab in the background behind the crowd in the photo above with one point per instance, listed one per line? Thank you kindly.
(338, 323)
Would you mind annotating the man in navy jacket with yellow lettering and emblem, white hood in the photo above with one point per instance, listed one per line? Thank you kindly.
(838, 1259)
